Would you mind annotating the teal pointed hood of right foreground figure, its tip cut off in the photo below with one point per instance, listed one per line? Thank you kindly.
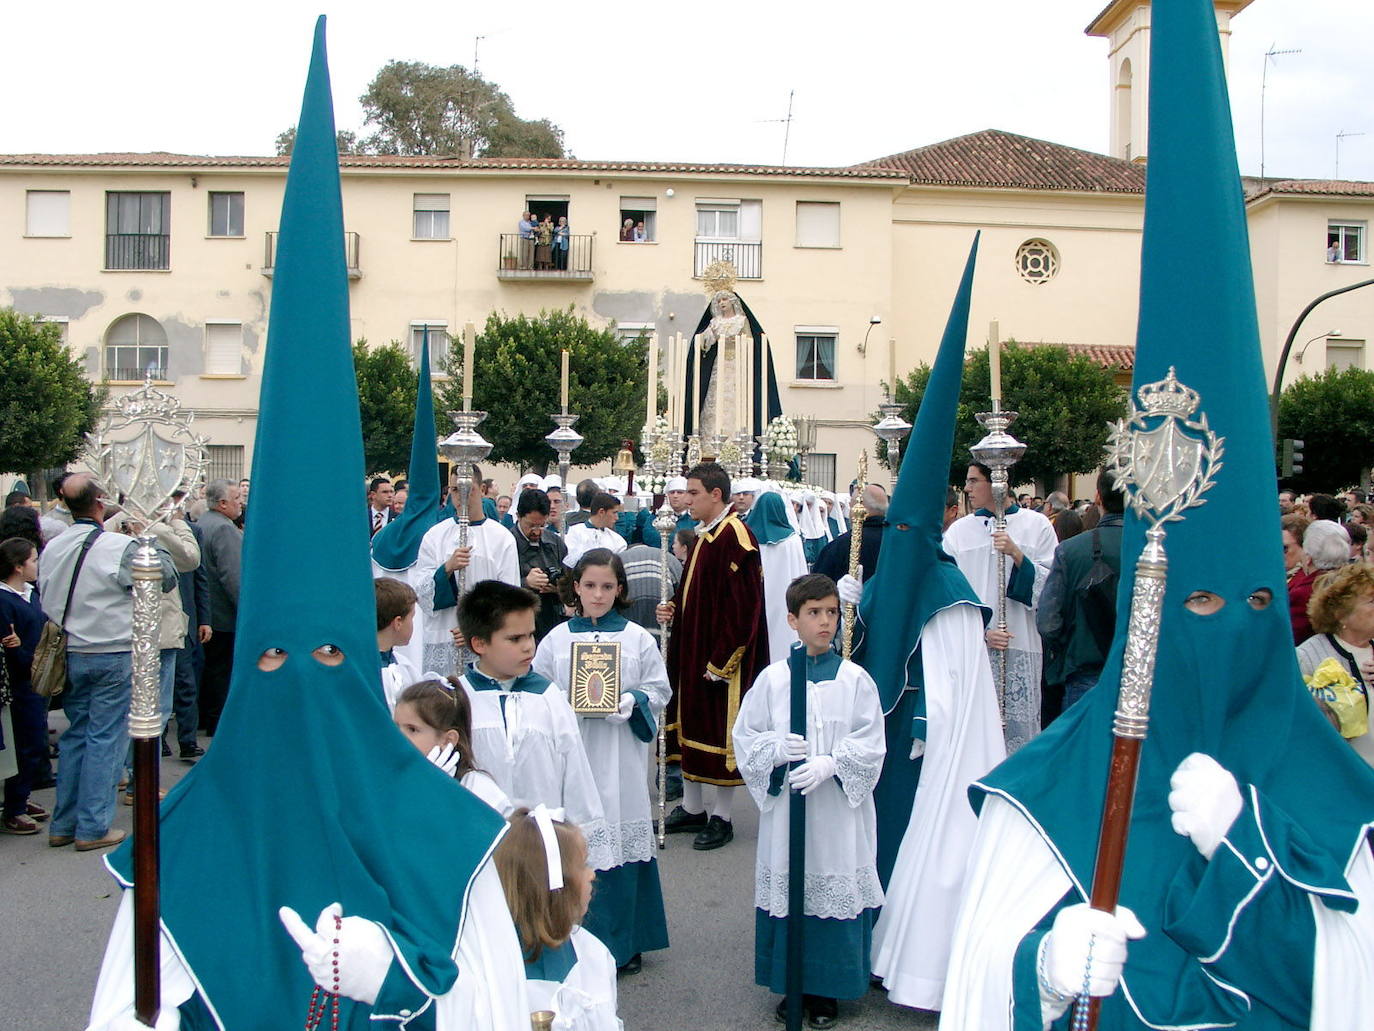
(1228, 684)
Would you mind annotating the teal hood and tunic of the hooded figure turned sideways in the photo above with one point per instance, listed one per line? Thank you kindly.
(916, 579)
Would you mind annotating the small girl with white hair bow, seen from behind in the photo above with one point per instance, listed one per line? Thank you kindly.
(548, 880)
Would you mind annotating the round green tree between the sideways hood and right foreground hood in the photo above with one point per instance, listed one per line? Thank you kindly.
(1066, 405)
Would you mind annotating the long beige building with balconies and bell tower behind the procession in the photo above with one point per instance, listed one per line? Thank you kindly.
(163, 263)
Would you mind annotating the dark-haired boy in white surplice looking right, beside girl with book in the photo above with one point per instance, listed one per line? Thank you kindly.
(524, 729)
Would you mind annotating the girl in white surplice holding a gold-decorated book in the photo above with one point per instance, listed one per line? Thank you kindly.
(629, 909)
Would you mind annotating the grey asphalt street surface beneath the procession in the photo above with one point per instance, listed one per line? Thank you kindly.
(58, 907)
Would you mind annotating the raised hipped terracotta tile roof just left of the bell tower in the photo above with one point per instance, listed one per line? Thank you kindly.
(997, 159)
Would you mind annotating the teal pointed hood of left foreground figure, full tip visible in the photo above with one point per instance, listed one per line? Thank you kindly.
(308, 795)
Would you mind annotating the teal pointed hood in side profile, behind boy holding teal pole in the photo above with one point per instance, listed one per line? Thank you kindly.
(916, 578)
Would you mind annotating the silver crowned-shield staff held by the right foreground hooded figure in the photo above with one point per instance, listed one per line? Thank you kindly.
(1159, 491)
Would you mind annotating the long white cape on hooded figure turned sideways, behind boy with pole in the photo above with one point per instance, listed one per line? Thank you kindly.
(964, 740)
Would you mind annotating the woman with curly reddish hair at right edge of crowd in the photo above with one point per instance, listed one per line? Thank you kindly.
(1343, 619)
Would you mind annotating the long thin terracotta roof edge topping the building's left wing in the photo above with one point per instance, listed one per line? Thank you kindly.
(164, 160)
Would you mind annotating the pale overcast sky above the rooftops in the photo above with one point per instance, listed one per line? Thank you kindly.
(666, 82)
